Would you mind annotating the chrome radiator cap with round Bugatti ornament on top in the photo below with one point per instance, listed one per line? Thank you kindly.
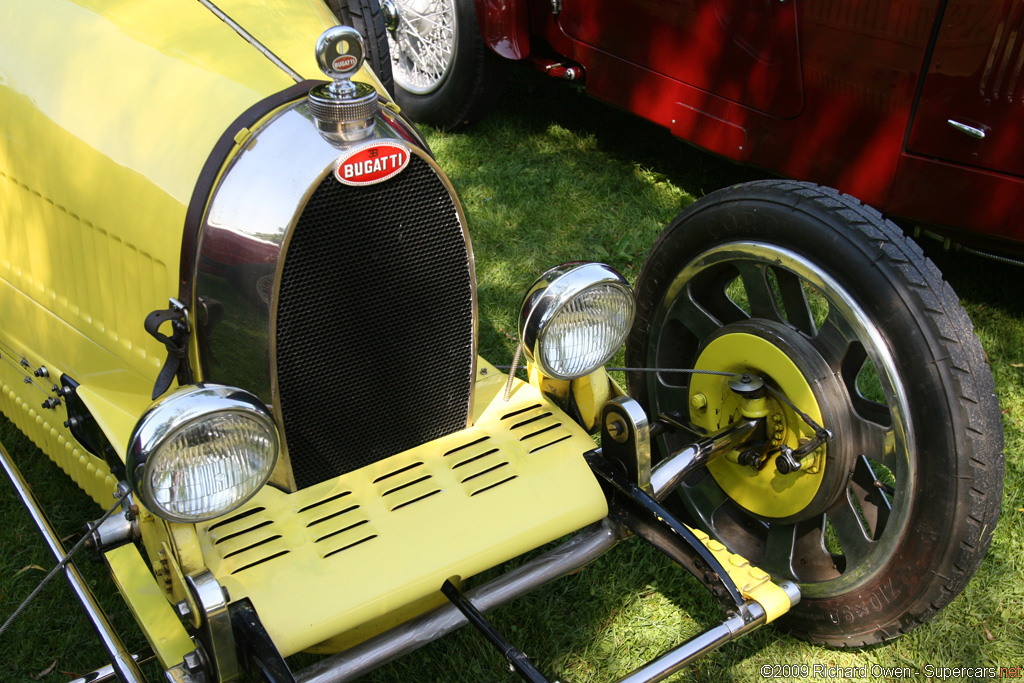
(344, 110)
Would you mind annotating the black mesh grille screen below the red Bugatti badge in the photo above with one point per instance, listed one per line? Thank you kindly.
(375, 324)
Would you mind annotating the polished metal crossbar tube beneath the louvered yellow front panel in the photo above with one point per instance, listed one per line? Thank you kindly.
(576, 553)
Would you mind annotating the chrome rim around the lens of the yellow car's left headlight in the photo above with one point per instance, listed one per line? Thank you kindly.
(176, 414)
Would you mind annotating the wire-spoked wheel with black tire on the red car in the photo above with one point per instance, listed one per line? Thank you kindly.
(465, 87)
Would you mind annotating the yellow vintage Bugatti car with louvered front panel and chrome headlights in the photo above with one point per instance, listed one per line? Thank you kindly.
(240, 313)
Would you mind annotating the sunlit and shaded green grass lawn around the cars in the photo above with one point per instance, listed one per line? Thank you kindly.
(554, 177)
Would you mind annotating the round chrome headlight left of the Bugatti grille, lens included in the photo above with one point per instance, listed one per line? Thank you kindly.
(202, 452)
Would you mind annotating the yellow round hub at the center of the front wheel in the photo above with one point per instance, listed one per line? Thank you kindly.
(788, 363)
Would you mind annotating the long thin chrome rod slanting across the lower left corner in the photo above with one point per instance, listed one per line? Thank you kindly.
(121, 660)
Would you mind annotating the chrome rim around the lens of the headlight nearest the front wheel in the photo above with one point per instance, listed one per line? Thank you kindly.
(552, 292)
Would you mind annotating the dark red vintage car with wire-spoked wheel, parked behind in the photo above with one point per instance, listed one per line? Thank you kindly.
(914, 107)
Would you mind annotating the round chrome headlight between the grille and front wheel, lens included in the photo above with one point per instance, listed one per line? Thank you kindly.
(575, 318)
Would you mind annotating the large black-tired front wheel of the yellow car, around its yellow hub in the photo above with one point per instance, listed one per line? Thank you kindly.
(927, 504)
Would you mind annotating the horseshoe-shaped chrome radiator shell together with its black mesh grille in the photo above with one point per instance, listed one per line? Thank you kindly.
(322, 298)
